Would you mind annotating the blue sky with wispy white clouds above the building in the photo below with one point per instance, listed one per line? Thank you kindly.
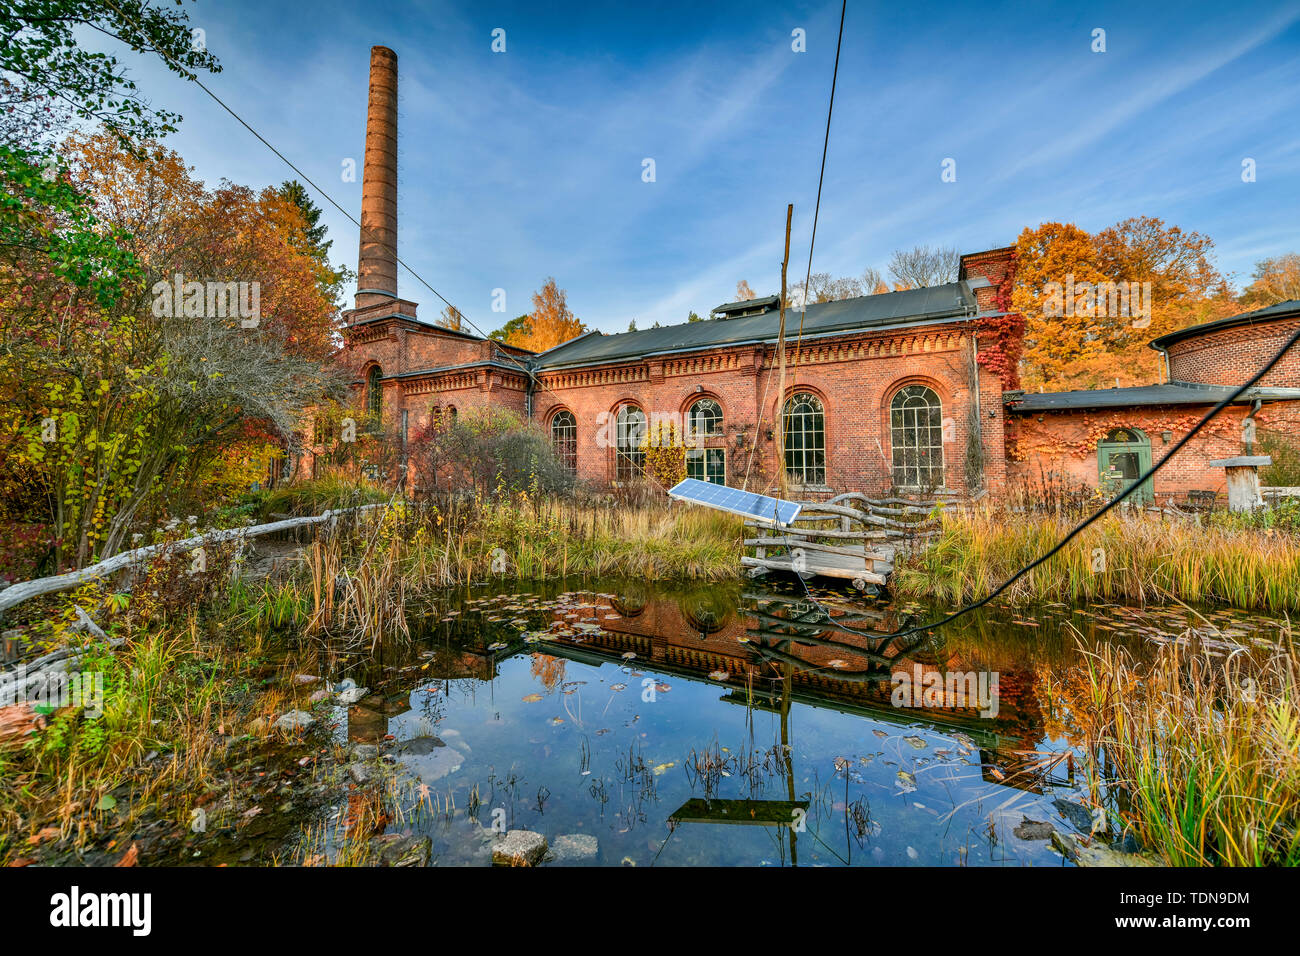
(527, 165)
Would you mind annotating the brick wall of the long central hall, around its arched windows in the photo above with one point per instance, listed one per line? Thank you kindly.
(855, 377)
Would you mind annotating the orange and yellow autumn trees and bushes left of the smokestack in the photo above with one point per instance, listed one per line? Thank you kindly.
(120, 413)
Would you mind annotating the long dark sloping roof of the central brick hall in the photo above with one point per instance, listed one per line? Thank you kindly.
(887, 310)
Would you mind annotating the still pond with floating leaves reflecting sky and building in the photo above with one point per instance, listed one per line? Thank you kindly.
(639, 725)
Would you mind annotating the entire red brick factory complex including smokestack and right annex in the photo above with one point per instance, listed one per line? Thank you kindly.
(890, 392)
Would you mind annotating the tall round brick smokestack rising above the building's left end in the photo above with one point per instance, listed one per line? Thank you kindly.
(378, 263)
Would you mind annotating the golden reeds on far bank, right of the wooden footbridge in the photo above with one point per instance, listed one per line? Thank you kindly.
(1123, 557)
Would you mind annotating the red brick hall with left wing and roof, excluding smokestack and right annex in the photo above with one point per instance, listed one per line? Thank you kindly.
(881, 392)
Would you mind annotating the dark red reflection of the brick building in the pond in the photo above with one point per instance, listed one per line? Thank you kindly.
(761, 638)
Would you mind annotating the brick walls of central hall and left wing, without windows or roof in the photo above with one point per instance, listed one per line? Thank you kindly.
(856, 377)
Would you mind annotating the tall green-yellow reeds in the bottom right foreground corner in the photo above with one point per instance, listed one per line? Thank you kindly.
(1199, 754)
